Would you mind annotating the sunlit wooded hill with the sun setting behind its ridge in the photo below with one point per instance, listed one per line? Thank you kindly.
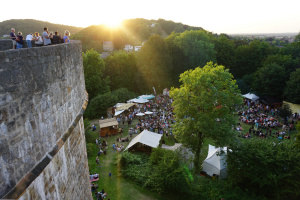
(131, 31)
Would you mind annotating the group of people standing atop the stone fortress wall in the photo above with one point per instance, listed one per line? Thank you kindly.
(47, 38)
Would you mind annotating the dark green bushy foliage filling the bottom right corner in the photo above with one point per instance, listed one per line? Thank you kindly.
(264, 167)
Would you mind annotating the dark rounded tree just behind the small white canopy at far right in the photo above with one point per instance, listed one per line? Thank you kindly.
(269, 80)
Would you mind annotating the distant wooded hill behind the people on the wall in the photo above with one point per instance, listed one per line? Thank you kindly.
(27, 26)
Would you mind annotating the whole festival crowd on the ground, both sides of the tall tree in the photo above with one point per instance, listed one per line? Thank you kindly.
(263, 120)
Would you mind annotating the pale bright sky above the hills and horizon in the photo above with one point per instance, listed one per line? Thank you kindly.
(217, 16)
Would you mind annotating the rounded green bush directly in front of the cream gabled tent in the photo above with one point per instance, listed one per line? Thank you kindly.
(163, 172)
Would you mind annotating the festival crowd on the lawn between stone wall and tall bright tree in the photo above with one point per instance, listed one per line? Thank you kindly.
(159, 121)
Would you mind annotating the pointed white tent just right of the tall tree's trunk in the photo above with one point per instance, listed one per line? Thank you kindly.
(215, 163)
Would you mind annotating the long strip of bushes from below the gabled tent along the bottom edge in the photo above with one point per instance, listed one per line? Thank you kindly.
(164, 172)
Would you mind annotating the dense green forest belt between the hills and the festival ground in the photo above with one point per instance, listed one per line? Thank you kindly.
(258, 65)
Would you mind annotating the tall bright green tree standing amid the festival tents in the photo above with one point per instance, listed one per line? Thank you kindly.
(204, 107)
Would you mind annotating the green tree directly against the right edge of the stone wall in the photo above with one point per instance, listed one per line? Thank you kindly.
(95, 81)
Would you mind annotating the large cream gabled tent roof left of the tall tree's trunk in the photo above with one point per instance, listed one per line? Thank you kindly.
(146, 137)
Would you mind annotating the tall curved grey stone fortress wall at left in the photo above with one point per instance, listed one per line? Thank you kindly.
(42, 141)
